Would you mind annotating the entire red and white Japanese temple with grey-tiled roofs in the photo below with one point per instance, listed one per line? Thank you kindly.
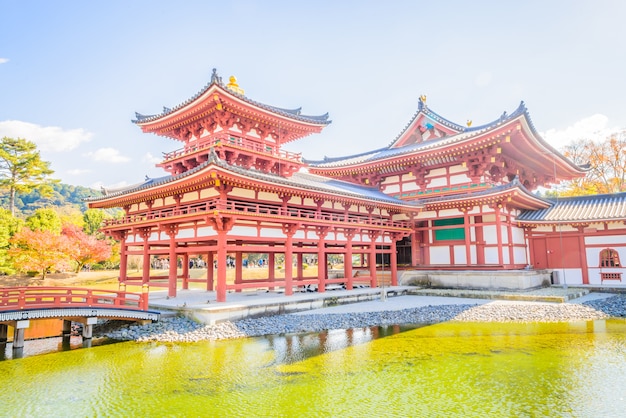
(446, 202)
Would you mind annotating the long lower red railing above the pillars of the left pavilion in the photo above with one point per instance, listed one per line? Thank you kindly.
(256, 209)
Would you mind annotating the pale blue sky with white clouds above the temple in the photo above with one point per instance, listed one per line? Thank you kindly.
(73, 73)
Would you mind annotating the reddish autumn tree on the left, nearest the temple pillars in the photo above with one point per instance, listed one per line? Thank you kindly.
(84, 249)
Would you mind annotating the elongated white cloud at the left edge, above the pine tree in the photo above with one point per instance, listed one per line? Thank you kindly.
(47, 138)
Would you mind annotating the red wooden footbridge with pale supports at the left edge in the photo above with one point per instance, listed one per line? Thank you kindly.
(20, 305)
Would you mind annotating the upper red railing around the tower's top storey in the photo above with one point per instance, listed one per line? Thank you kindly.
(241, 143)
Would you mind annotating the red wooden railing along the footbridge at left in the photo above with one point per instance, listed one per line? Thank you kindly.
(14, 298)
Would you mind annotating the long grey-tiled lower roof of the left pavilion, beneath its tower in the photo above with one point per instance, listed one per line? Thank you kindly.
(298, 180)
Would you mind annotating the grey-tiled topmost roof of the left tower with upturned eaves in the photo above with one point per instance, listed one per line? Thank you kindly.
(216, 82)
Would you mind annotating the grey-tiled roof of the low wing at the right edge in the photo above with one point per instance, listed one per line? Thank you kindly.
(579, 209)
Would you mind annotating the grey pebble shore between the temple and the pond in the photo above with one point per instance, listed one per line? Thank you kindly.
(181, 329)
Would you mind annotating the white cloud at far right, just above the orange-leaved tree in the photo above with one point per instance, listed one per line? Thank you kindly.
(593, 127)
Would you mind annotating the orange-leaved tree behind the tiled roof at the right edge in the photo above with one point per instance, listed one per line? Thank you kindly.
(607, 161)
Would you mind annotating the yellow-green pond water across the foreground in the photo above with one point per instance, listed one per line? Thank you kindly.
(447, 370)
